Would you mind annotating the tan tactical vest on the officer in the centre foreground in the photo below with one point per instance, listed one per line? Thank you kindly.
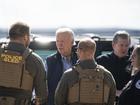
(90, 88)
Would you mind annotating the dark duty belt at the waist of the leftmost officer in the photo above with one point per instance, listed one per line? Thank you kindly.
(17, 96)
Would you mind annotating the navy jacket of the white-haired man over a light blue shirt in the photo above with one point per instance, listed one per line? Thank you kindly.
(54, 73)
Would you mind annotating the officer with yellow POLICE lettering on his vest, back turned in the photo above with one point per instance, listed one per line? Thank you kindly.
(21, 70)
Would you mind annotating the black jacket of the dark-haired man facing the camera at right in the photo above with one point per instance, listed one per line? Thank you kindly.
(118, 67)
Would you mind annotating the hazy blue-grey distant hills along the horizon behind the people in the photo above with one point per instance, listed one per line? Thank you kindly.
(79, 31)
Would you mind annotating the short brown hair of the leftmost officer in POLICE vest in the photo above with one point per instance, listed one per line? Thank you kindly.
(18, 30)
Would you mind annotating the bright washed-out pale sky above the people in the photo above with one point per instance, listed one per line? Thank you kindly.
(71, 13)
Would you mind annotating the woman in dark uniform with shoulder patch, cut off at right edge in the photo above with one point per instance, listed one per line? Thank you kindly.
(131, 93)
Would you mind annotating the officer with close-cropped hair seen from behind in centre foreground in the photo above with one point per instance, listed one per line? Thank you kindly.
(87, 83)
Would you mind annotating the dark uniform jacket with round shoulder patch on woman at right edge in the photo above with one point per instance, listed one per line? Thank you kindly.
(131, 93)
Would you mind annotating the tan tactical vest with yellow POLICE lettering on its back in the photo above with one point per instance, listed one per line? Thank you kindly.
(15, 81)
